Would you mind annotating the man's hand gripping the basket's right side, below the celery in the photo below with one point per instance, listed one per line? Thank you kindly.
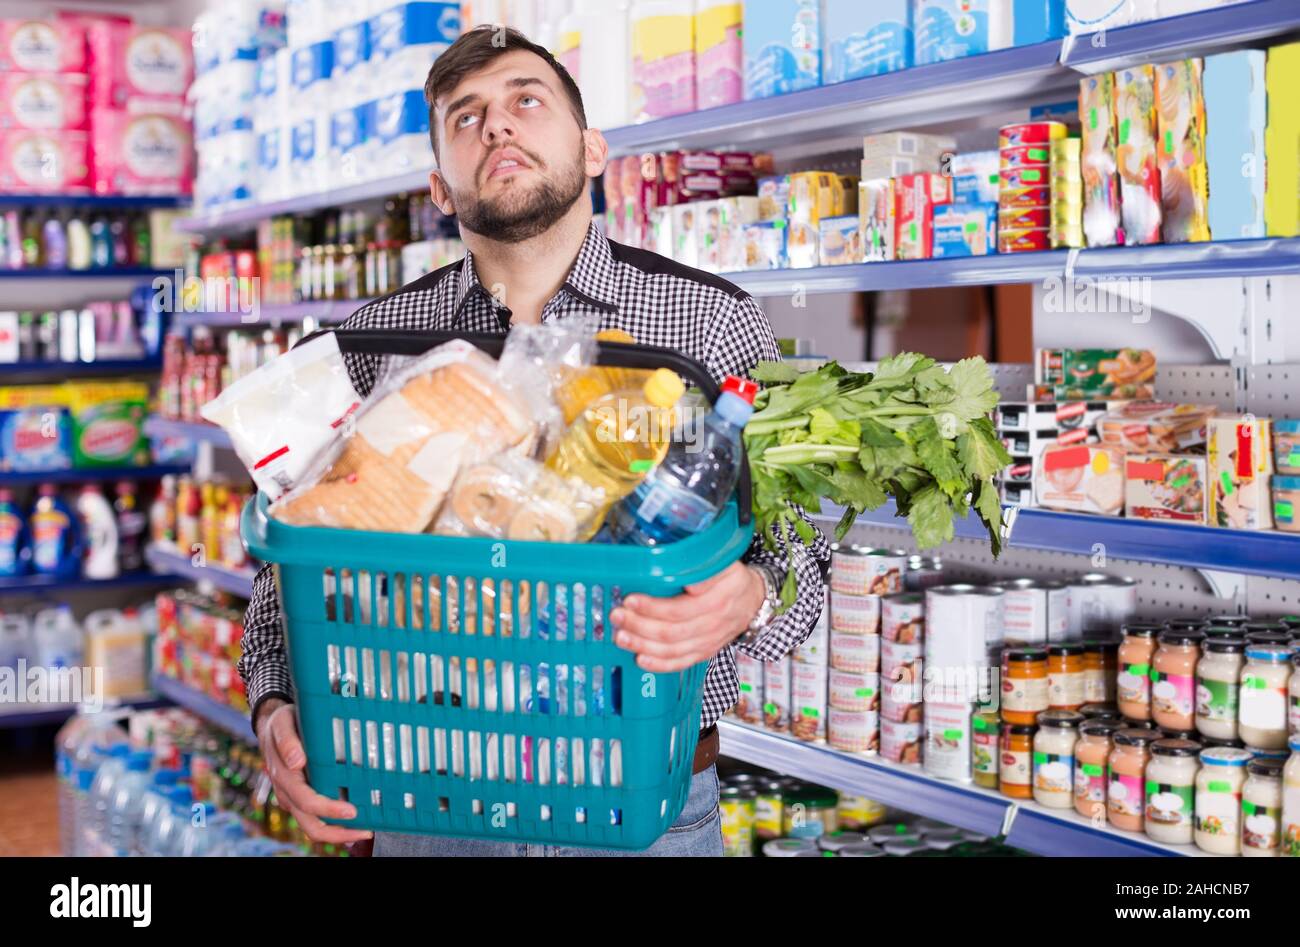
(674, 634)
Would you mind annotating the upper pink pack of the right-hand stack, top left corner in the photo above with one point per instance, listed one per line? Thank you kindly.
(131, 62)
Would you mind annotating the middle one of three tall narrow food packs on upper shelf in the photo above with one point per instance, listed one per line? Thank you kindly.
(1136, 155)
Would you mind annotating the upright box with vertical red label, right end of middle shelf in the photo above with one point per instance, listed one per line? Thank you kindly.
(1241, 460)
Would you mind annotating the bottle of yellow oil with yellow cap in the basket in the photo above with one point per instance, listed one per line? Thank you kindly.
(619, 439)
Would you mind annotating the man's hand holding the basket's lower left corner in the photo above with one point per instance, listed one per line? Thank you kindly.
(287, 763)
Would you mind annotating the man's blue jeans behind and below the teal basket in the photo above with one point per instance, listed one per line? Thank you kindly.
(697, 833)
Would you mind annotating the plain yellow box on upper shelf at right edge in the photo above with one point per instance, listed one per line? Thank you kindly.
(1282, 201)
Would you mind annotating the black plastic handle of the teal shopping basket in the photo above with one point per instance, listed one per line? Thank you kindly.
(613, 354)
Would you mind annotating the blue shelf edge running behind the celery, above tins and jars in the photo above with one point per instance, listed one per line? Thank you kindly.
(1268, 554)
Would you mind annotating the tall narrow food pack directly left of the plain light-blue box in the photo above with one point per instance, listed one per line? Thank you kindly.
(1185, 179)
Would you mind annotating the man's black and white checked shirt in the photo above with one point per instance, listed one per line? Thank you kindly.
(658, 302)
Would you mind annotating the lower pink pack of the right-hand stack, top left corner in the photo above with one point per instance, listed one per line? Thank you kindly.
(149, 154)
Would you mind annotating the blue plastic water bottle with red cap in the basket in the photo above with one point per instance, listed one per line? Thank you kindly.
(686, 494)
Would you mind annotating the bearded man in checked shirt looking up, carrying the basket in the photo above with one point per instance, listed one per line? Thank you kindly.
(515, 161)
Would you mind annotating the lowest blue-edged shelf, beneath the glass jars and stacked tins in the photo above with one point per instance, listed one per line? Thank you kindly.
(1028, 825)
